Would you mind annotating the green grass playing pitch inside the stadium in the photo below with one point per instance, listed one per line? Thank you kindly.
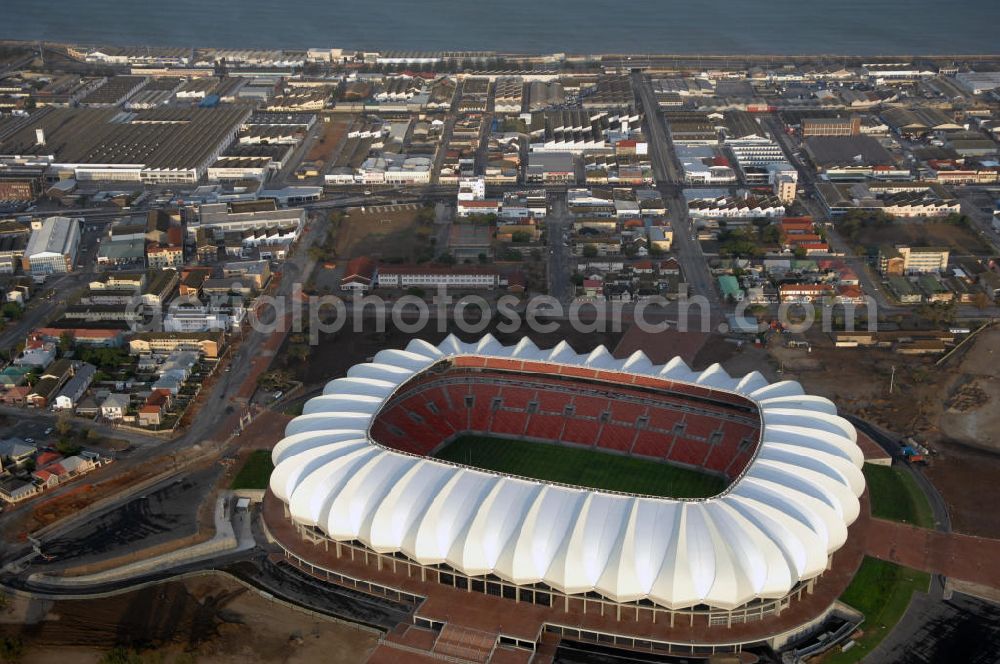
(581, 467)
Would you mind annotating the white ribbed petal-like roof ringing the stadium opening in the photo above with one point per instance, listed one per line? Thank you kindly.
(774, 527)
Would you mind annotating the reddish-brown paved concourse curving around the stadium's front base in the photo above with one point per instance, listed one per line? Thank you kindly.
(486, 614)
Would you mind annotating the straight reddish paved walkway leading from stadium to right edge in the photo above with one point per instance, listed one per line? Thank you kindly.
(957, 556)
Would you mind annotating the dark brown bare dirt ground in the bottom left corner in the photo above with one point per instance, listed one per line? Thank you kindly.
(208, 619)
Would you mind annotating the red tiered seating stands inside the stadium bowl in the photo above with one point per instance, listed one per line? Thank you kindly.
(719, 434)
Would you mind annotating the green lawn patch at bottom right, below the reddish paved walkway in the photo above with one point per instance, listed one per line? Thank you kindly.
(882, 592)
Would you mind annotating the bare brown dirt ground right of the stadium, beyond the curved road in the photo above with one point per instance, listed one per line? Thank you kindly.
(954, 410)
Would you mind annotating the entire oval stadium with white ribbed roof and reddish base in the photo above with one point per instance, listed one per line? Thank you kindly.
(610, 501)
